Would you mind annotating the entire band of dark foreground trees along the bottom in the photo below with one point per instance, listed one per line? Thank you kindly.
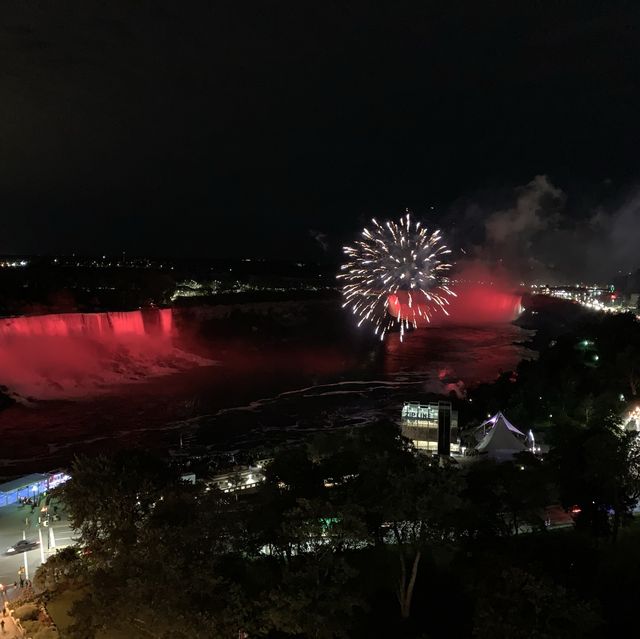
(356, 535)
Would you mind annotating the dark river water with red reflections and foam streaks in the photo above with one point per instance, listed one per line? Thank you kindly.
(260, 394)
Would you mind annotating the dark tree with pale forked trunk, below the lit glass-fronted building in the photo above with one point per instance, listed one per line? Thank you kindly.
(382, 495)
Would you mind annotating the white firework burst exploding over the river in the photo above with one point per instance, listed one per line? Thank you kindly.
(396, 275)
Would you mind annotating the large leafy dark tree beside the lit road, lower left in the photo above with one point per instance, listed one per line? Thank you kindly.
(156, 549)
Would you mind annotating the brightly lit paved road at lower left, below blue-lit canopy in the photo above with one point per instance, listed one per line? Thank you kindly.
(14, 521)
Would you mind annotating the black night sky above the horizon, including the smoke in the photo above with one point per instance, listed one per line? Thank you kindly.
(279, 128)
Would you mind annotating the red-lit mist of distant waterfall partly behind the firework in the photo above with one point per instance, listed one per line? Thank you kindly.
(475, 304)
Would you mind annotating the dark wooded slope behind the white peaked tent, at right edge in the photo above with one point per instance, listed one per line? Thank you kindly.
(583, 372)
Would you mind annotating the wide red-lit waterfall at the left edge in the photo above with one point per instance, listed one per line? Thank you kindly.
(77, 354)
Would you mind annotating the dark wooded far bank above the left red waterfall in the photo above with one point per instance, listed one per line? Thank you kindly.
(51, 285)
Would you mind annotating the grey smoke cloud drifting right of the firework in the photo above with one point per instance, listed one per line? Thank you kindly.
(542, 233)
